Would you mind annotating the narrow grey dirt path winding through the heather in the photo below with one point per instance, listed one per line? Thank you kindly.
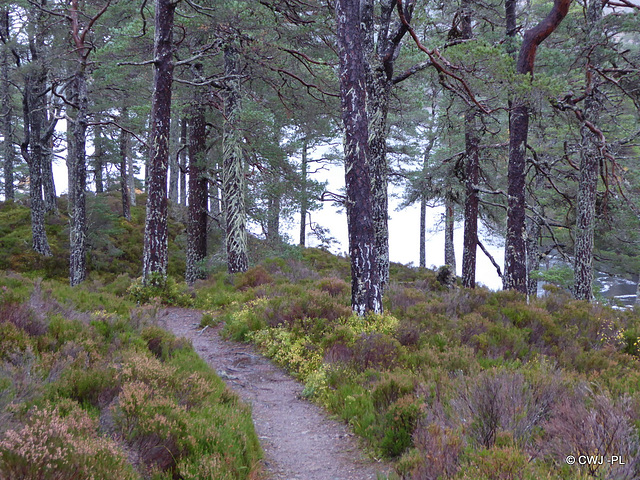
(299, 441)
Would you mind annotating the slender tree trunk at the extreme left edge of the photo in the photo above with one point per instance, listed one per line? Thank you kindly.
(6, 111)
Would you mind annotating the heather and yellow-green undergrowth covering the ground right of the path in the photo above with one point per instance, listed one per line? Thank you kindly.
(449, 383)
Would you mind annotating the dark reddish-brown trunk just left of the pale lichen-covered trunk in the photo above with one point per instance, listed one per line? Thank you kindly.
(198, 195)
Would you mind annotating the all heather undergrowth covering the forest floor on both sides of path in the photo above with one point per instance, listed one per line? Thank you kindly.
(449, 383)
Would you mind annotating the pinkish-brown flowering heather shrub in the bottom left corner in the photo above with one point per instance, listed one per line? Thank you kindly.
(61, 442)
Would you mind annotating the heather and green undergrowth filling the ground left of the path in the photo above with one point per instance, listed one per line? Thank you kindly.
(91, 392)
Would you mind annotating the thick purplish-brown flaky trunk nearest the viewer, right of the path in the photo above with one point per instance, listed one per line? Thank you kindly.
(366, 291)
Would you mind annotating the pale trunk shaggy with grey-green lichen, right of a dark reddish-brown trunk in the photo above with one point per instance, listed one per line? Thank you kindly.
(233, 182)
